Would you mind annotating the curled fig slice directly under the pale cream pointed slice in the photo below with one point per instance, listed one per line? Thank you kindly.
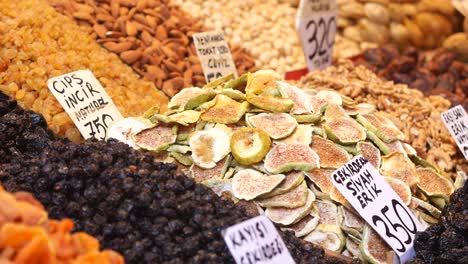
(294, 198)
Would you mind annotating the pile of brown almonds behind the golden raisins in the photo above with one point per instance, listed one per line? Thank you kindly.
(153, 36)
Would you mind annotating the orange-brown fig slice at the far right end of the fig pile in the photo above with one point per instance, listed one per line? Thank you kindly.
(433, 184)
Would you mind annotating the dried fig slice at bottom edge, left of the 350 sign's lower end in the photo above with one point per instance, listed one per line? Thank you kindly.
(373, 248)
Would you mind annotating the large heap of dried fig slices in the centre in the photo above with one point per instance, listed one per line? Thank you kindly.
(276, 146)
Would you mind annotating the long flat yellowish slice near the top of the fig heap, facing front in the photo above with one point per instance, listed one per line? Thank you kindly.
(270, 103)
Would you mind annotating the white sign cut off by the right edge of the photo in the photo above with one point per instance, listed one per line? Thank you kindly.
(456, 121)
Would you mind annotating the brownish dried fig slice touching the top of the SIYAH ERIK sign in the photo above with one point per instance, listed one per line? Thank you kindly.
(331, 156)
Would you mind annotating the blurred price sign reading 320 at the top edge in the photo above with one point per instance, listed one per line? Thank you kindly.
(316, 25)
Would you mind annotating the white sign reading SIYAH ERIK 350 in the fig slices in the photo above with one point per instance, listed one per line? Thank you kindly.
(377, 203)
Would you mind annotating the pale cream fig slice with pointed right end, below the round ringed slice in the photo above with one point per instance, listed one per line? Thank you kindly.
(248, 184)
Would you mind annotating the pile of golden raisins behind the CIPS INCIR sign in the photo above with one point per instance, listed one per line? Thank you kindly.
(38, 43)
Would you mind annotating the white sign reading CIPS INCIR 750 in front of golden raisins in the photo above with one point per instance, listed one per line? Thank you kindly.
(85, 101)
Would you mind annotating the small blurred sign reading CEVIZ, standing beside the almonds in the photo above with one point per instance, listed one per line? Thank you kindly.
(214, 54)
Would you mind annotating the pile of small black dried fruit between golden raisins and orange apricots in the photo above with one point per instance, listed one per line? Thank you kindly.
(128, 201)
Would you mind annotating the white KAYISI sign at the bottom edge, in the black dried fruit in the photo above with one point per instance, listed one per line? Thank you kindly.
(256, 241)
